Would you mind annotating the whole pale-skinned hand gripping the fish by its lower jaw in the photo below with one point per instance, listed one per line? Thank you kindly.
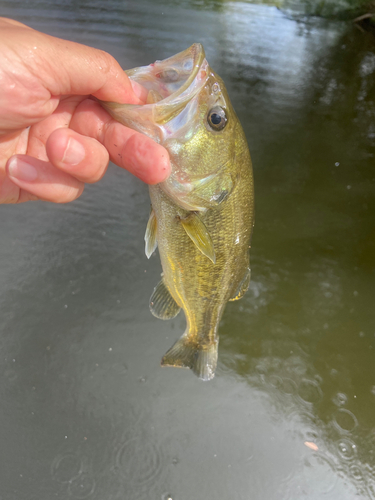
(54, 137)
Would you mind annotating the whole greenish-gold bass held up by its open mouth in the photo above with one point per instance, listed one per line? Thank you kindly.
(202, 216)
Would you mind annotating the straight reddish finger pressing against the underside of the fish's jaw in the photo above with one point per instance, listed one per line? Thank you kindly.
(129, 149)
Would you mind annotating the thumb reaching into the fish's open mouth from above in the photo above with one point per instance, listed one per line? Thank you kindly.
(65, 67)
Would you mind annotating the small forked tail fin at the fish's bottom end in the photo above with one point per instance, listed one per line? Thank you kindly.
(201, 359)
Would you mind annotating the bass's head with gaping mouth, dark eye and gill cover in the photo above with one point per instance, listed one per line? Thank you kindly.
(188, 111)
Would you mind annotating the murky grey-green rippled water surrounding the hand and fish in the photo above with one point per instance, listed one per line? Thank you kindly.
(85, 409)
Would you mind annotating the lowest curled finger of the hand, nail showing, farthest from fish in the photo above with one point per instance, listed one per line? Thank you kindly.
(39, 179)
